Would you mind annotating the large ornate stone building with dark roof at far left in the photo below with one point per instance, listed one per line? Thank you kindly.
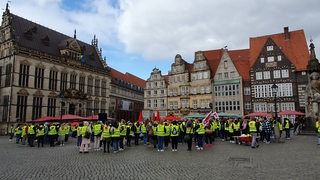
(46, 73)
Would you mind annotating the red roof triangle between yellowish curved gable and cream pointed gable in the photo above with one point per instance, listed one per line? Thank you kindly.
(213, 57)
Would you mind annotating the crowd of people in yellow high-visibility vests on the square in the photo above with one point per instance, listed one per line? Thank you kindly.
(117, 135)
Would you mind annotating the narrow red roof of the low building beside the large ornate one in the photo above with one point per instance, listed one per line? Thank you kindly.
(128, 78)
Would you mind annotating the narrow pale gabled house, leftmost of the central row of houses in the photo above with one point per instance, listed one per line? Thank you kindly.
(155, 95)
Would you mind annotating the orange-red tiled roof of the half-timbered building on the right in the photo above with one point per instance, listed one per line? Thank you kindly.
(295, 48)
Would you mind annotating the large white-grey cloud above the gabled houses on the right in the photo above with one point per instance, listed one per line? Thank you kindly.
(161, 29)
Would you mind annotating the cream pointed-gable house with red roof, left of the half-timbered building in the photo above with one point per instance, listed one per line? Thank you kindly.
(231, 77)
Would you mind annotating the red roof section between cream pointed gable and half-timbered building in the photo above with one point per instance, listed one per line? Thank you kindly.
(240, 59)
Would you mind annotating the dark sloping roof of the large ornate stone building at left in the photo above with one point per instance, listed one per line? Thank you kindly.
(37, 37)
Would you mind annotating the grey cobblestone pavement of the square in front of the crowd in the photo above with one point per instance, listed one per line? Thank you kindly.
(298, 158)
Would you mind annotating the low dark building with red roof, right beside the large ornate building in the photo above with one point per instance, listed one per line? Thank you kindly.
(126, 95)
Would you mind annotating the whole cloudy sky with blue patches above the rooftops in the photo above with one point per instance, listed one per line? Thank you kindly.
(138, 35)
